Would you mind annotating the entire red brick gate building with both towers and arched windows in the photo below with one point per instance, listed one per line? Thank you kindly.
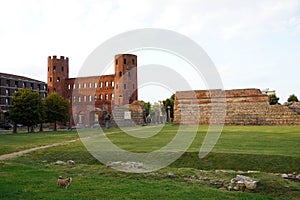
(93, 98)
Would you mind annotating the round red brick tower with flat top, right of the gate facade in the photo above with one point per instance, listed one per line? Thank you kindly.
(125, 90)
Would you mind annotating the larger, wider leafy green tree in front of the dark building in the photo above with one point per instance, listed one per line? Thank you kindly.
(27, 108)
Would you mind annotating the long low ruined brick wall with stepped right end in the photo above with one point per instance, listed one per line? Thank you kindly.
(243, 107)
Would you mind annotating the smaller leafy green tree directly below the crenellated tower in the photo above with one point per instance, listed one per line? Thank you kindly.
(57, 109)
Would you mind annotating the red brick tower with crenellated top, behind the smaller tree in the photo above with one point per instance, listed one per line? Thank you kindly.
(58, 71)
